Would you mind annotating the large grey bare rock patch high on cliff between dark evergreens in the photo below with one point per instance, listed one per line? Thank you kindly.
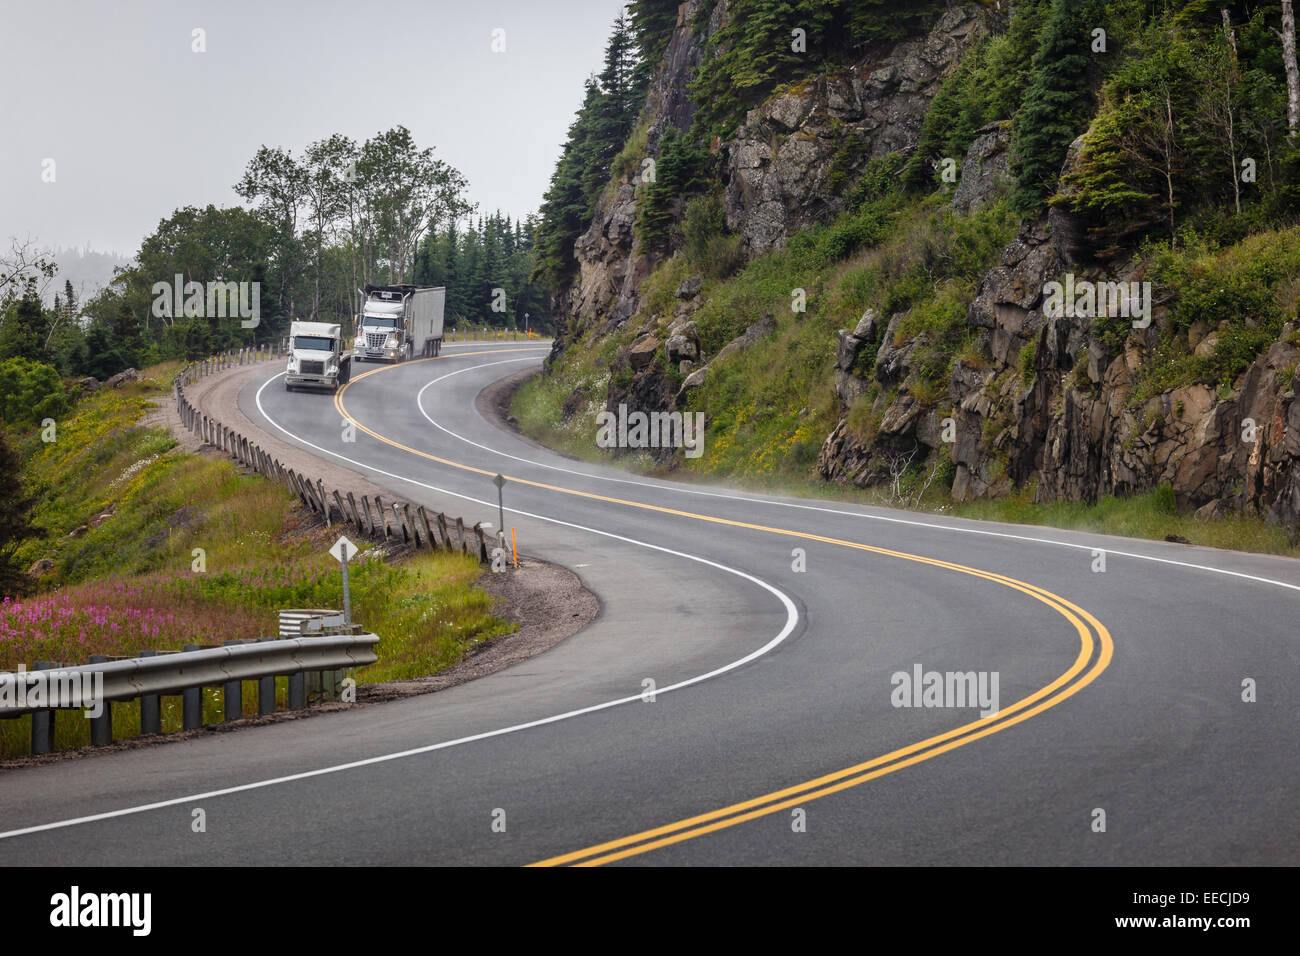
(786, 161)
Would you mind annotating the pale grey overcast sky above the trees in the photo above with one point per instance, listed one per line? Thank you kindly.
(140, 126)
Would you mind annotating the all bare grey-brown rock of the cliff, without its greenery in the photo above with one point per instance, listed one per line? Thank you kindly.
(1037, 403)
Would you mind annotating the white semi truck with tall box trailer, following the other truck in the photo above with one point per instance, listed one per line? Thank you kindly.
(400, 322)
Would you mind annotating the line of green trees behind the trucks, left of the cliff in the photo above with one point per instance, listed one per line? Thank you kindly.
(317, 227)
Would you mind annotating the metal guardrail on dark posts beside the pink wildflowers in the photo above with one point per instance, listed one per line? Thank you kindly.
(184, 673)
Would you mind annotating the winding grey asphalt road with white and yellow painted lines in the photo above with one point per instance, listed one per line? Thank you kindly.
(726, 708)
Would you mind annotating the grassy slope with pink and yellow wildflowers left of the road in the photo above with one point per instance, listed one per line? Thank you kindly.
(132, 583)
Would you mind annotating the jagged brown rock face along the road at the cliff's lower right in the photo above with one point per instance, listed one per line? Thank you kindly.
(1076, 430)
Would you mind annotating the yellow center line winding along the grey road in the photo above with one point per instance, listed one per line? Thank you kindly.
(1095, 654)
